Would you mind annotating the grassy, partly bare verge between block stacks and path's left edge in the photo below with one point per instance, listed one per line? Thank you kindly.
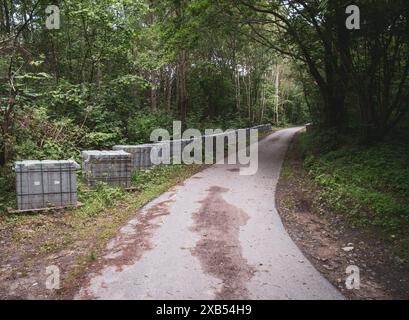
(74, 238)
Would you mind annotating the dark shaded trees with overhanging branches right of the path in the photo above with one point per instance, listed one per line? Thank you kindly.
(353, 78)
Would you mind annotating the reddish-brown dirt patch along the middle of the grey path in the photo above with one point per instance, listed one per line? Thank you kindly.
(219, 249)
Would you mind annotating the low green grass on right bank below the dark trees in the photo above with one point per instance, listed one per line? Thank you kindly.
(367, 184)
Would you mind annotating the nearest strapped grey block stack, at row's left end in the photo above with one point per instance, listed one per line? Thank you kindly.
(48, 183)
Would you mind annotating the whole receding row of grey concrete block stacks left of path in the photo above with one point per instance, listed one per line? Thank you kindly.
(41, 184)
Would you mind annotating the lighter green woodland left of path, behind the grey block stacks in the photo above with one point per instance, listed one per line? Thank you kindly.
(115, 70)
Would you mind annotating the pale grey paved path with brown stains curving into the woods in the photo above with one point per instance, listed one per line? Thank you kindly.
(216, 236)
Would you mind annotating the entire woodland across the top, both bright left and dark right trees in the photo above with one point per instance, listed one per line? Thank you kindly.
(116, 69)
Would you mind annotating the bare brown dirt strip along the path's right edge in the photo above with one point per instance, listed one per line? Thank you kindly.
(331, 244)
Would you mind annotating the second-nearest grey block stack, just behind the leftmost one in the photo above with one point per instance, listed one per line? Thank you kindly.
(111, 167)
